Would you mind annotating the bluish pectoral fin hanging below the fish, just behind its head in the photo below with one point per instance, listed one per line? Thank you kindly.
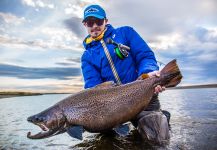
(75, 132)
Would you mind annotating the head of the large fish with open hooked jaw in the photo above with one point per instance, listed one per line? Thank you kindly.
(51, 121)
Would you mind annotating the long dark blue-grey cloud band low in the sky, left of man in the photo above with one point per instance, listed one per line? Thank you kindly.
(38, 73)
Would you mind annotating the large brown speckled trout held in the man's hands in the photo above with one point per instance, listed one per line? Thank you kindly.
(103, 107)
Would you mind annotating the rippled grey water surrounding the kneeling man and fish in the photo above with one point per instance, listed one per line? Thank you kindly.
(193, 124)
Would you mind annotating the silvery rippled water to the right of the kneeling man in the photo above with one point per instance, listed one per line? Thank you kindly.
(194, 118)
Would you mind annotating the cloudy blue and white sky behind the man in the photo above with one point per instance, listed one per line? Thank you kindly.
(41, 40)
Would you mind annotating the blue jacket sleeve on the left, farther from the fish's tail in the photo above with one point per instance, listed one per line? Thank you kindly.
(91, 75)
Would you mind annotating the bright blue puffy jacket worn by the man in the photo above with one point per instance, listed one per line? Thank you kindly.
(96, 68)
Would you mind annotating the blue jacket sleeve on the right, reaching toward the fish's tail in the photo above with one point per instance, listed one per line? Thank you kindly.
(141, 52)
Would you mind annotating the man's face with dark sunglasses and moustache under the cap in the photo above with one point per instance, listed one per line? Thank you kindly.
(95, 26)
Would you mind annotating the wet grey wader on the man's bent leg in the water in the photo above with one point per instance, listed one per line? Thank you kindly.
(153, 123)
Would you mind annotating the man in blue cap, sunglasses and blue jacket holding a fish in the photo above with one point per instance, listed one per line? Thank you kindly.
(101, 63)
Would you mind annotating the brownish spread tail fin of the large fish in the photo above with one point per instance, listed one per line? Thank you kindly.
(170, 74)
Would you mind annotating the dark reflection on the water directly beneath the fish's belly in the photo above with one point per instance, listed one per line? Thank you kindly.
(113, 142)
